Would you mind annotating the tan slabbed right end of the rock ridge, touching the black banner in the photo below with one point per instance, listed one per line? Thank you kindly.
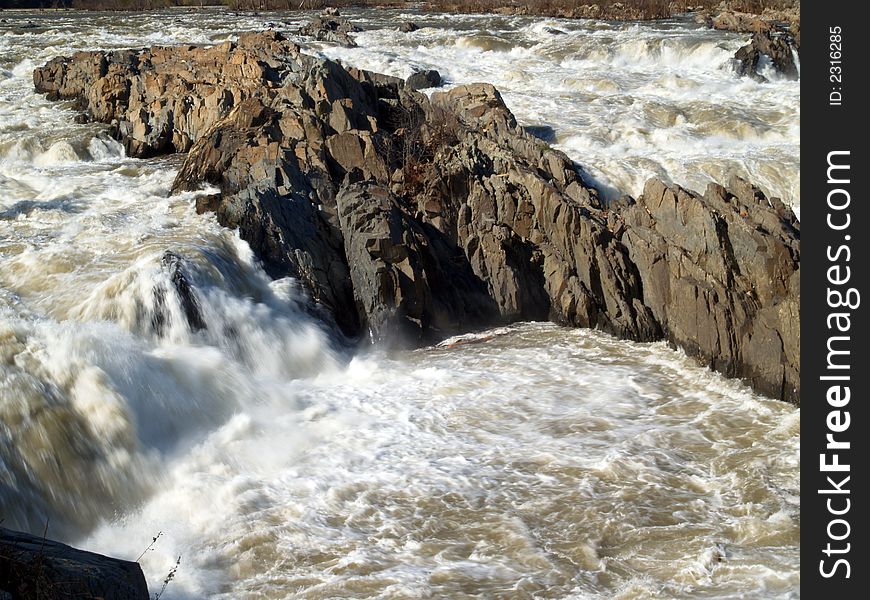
(721, 274)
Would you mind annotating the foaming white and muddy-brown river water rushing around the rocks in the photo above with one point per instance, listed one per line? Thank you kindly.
(531, 461)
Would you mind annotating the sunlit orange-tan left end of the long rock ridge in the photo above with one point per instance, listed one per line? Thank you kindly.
(163, 99)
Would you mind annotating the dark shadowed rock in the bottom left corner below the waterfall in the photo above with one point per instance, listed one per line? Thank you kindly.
(32, 568)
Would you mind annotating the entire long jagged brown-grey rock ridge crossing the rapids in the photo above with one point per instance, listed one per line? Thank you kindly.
(412, 217)
